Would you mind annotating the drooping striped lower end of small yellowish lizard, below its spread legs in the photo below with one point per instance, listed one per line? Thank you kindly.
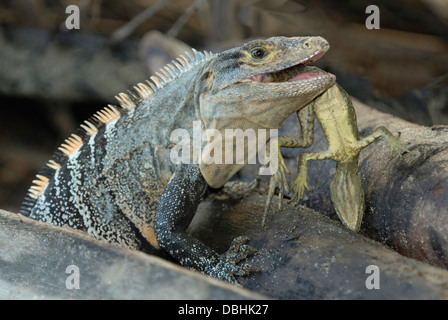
(347, 194)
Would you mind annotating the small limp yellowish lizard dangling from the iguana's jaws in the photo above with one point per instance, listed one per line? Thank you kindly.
(337, 117)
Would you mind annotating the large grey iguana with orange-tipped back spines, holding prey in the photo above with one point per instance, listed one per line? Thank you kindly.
(114, 178)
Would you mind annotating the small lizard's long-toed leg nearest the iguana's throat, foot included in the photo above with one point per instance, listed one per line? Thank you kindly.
(306, 120)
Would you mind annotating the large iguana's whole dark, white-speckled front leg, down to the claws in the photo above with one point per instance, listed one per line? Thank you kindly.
(175, 211)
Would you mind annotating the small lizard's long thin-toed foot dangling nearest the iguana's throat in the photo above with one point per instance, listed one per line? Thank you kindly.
(279, 177)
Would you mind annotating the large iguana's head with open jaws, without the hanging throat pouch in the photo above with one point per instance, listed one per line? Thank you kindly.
(264, 81)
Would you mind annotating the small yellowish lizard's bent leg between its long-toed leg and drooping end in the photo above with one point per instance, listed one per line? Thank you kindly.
(300, 182)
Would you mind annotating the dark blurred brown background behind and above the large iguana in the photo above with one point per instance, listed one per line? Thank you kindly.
(52, 78)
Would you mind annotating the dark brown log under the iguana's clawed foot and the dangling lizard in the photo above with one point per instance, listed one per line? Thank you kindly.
(305, 255)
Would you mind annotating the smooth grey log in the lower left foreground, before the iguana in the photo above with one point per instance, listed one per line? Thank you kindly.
(35, 260)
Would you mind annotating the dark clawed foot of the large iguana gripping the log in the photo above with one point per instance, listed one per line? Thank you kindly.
(224, 267)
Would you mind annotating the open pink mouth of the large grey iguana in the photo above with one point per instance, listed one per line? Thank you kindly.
(290, 74)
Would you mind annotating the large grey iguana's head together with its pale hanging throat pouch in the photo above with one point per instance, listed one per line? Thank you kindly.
(256, 86)
